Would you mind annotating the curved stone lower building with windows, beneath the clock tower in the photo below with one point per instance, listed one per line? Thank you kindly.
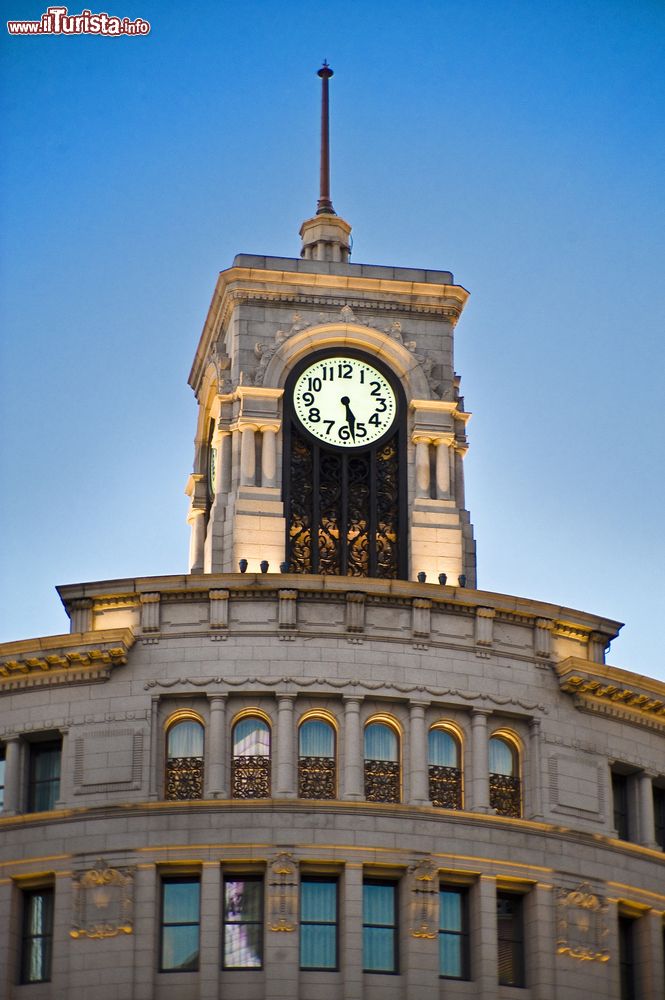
(170, 829)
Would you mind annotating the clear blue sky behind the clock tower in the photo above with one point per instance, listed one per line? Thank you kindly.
(518, 144)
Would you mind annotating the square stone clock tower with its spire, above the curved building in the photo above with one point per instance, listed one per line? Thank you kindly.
(331, 433)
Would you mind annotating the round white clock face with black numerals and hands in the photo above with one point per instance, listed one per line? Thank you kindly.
(344, 402)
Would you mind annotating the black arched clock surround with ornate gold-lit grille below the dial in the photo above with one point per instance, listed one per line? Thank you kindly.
(345, 507)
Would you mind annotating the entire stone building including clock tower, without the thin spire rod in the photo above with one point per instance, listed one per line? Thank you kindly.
(323, 764)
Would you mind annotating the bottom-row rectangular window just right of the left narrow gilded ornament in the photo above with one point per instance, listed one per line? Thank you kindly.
(318, 923)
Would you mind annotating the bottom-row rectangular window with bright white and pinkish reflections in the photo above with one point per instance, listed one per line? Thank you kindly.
(243, 922)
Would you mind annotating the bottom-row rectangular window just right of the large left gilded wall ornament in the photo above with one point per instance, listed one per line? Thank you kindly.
(180, 924)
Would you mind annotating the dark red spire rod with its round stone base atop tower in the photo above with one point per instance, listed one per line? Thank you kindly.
(325, 236)
